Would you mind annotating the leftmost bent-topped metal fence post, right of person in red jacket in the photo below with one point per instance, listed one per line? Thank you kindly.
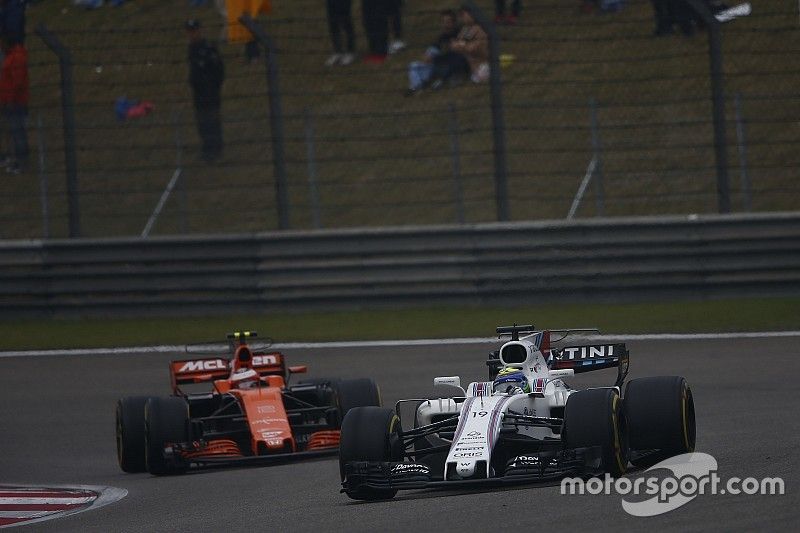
(68, 113)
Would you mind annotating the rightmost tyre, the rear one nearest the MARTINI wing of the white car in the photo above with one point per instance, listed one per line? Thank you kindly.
(660, 412)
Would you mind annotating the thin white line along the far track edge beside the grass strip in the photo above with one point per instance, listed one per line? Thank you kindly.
(180, 350)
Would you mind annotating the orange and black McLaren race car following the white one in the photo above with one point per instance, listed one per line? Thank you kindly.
(251, 414)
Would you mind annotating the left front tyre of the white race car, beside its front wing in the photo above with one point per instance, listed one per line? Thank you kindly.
(370, 434)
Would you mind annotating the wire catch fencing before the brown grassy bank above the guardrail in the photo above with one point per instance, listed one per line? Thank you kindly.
(593, 103)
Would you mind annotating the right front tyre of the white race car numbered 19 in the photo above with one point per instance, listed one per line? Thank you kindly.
(595, 417)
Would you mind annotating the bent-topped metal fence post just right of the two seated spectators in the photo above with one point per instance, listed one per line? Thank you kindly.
(498, 120)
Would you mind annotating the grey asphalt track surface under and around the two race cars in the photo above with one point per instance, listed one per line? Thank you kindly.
(57, 428)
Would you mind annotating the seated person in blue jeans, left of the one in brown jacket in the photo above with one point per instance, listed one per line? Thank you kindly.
(439, 63)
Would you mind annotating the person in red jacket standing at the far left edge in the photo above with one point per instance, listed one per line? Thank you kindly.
(14, 96)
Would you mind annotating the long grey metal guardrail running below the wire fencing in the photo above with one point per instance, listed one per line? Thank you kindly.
(502, 263)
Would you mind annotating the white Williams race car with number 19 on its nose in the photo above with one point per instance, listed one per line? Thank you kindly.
(524, 425)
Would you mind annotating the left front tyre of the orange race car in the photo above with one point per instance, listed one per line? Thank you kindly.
(166, 422)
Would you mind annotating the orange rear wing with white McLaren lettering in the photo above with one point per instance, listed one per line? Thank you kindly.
(206, 370)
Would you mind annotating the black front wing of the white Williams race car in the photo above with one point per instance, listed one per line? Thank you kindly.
(533, 468)
